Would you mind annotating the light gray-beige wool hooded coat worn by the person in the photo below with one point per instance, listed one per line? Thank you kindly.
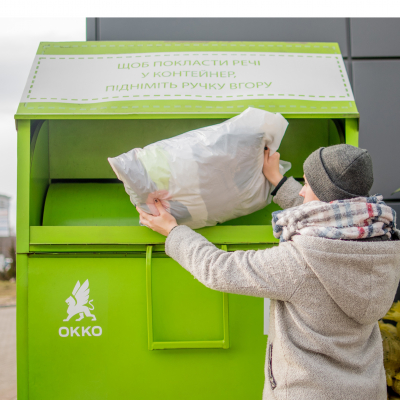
(326, 298)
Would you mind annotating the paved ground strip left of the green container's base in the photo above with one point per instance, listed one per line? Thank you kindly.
(8, 376)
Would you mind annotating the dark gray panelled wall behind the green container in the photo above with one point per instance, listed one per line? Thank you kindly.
(371, 47)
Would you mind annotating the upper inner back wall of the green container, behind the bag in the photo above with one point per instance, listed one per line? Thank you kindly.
(79, 149)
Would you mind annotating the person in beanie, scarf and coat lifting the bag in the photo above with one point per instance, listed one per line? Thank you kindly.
(332, 277)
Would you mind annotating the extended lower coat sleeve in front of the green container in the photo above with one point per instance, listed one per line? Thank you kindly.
(272, 273)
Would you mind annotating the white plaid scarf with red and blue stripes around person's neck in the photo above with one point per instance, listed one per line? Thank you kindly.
(357, 218)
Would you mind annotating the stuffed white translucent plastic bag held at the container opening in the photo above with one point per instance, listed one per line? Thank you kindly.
(208, 175)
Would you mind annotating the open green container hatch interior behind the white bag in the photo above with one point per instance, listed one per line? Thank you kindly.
(72, 183)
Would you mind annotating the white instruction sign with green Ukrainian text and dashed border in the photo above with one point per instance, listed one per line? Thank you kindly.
(187, 76)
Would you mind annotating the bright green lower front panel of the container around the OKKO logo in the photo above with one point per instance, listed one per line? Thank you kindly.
(117, 364)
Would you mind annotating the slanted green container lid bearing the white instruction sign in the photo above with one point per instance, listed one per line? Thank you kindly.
(89, 79)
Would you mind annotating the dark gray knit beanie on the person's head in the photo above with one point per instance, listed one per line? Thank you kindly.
(339, 172)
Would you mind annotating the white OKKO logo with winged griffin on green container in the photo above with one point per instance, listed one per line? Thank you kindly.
(78, 304)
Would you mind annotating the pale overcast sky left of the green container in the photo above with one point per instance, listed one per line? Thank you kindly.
(19, 40)
